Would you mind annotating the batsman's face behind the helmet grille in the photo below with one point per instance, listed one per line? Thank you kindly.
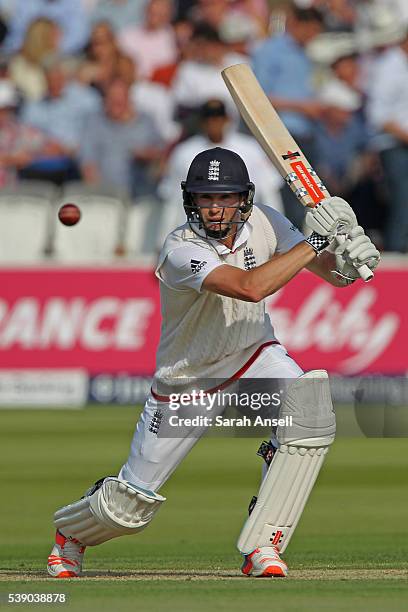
(218, 210)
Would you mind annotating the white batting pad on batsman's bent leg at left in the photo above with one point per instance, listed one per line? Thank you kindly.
(111, 508)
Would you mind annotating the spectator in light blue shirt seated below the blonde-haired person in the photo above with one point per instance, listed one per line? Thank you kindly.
(63, 111)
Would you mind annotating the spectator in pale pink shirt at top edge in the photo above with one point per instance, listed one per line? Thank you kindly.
(153, 44)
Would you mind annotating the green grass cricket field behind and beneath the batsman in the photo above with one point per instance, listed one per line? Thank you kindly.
(349, 551)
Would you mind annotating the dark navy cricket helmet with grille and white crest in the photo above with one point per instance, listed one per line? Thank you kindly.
(217, 171)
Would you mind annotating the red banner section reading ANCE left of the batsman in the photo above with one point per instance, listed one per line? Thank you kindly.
(103, 320)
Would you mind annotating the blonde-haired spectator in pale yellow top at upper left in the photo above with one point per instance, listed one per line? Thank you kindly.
(41, 42)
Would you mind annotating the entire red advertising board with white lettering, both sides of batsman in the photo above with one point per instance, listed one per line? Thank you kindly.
(108, 320)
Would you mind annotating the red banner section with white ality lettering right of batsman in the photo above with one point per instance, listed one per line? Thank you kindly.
(362, 328)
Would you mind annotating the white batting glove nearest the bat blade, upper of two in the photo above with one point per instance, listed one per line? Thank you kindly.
(330, 217)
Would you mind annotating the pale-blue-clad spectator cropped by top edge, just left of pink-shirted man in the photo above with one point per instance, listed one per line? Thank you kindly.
(119, 13)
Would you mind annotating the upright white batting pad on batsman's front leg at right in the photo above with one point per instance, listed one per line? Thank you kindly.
(295, 466)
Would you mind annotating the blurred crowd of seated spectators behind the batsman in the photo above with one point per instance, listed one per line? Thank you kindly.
(124, 93)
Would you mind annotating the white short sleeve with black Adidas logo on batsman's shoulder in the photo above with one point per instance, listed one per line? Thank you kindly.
(187, 267)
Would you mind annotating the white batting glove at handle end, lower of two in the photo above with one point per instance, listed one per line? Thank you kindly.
(354, 252)
